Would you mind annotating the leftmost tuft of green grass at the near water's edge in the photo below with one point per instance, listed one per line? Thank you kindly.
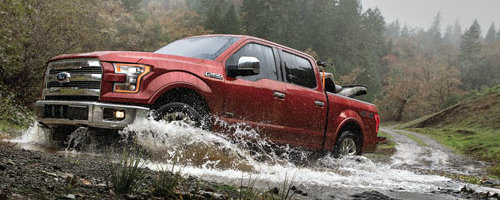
(126, 175)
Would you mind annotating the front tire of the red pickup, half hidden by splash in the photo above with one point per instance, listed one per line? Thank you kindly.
(178, 111)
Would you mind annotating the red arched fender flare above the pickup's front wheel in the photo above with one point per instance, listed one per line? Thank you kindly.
(176, 79)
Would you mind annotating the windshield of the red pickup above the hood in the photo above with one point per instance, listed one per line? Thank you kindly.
(209, 47)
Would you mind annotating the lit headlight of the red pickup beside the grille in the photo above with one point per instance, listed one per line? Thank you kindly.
(134, 74)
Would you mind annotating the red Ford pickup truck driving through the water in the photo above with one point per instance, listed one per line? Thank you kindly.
(238, 79)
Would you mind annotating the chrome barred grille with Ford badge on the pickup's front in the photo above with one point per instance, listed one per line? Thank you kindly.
(75, 78)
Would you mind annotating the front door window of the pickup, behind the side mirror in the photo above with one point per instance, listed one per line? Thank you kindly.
(265, 56)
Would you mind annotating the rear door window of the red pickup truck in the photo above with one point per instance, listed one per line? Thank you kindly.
(298, 70)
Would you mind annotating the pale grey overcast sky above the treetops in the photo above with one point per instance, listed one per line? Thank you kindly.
(420, 13)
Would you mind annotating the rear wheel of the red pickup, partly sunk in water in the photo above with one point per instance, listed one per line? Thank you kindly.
(347, 145)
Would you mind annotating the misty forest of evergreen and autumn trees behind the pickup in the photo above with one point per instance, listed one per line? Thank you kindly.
(410, 72)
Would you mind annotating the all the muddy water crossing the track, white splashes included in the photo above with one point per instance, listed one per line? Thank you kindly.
(244, 157)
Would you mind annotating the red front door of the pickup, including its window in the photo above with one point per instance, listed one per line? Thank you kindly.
(255, 100)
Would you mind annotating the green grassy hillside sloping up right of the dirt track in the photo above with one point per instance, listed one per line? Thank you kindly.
(471, 127)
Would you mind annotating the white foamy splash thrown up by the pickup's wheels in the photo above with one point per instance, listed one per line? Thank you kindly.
(242, 154)
